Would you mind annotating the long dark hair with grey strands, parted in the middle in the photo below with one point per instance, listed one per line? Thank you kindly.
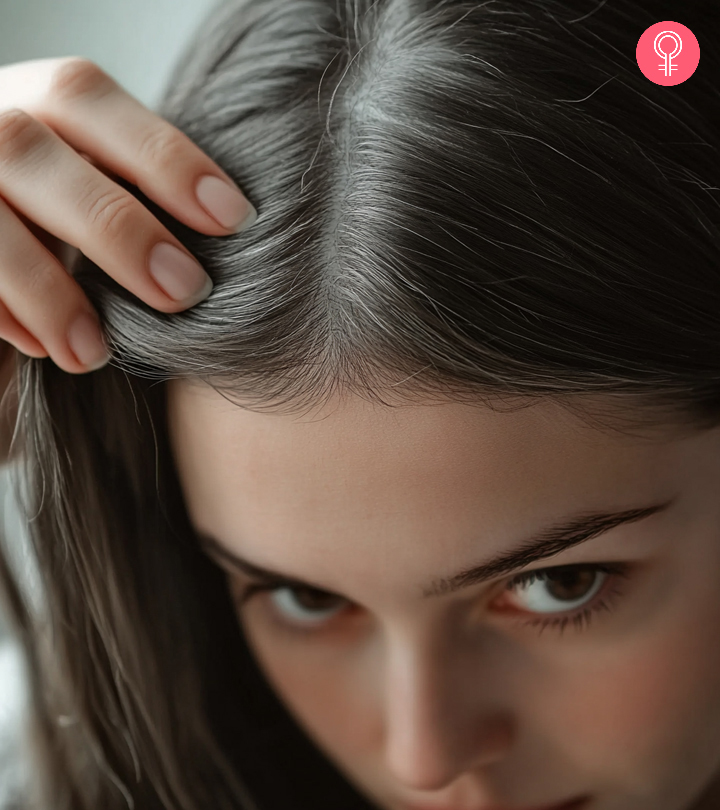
(483, 202)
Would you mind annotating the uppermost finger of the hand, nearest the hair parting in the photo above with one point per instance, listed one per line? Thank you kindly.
(95, 115)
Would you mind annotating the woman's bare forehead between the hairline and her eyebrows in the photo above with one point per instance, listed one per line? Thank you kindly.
(409, 469)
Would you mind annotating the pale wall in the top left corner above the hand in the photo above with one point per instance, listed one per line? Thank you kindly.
(136, 41)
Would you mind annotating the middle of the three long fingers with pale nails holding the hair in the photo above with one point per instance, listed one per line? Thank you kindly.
(55, 188)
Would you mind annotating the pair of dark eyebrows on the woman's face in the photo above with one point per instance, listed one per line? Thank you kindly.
(547, 543)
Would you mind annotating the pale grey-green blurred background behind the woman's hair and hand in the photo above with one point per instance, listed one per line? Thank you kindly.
(137, 42)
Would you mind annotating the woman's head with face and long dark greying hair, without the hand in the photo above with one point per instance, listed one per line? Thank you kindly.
(417, 509)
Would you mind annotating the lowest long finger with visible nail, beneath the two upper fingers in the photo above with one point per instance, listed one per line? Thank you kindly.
(41, 302)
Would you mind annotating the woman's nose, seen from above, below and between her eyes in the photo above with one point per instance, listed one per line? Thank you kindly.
(440, 721)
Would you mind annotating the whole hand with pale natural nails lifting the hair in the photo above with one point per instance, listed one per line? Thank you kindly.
(66, 128)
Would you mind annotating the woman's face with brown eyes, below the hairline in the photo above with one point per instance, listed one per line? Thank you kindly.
(457, 697)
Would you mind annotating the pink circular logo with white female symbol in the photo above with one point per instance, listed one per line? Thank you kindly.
(668, 53)
